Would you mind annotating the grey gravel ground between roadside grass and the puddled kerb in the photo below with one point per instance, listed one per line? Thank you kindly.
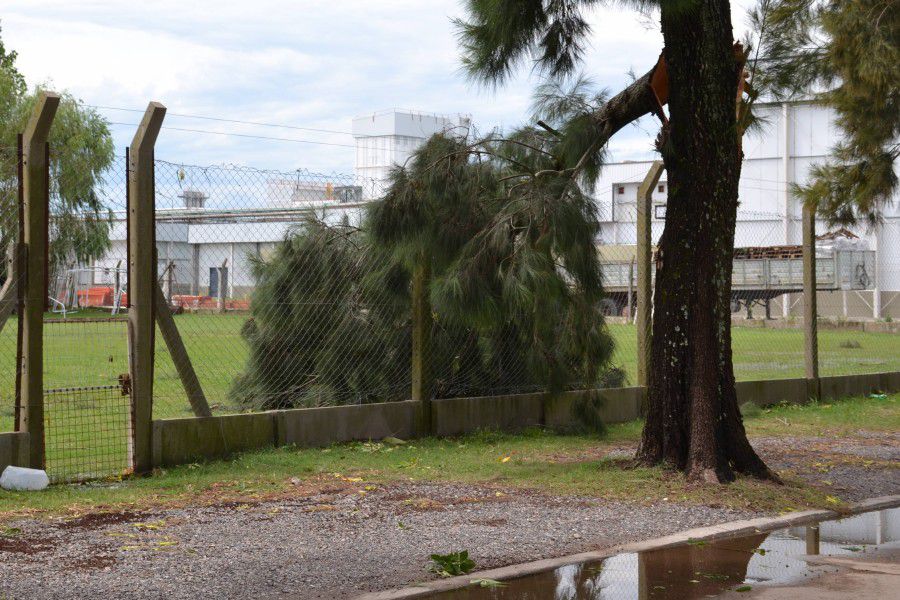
(334, 540)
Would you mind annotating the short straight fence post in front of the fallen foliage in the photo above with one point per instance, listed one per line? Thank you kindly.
(421, 355)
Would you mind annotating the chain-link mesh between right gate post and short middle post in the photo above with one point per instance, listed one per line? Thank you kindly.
(278, 293)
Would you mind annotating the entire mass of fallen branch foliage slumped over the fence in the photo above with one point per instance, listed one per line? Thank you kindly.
(514, 286)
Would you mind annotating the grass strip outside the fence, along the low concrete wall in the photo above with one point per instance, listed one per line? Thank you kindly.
(560, 464)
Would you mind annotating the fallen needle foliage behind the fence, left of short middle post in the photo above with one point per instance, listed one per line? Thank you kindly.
(322, 331)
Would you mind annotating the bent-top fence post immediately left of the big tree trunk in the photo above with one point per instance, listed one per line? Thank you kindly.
(644, 309)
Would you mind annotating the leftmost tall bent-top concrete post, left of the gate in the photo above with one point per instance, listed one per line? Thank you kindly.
(36, 192)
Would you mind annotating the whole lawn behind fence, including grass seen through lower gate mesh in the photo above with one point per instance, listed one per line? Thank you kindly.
(80, 353)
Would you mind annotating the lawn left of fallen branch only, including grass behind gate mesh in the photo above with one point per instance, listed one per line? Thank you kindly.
(87, 434)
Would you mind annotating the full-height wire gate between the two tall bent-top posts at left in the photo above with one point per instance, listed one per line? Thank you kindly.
(87, 403)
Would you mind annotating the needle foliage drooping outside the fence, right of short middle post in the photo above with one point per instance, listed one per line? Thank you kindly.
(532, 269)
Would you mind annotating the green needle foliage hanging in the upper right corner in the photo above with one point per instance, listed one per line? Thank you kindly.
(846, 55)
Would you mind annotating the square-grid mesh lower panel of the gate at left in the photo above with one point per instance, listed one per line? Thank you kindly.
(88, 432)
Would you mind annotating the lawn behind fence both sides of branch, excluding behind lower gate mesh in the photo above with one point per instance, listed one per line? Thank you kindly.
(87, 354)
